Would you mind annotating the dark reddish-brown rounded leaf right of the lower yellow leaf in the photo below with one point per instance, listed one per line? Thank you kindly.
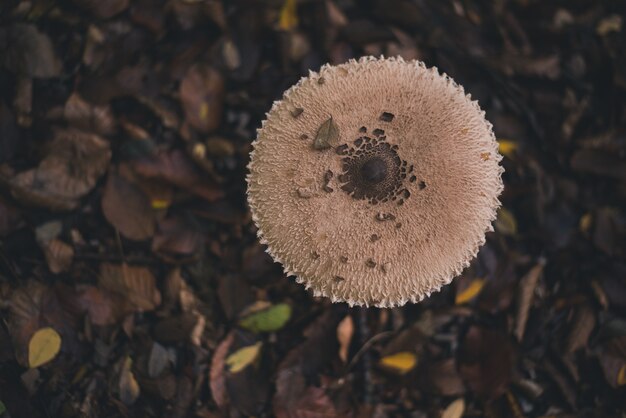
(485, 361)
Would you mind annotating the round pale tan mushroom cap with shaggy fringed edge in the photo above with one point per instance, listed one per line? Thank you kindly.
(375, 181)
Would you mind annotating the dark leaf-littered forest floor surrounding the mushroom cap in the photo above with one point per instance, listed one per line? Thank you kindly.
(132, 283)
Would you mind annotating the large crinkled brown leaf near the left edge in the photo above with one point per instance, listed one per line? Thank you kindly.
(74, 162)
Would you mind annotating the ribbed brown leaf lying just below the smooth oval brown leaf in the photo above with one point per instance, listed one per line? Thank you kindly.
(137, 284)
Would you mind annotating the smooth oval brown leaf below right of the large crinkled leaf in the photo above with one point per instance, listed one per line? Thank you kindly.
(127, 208)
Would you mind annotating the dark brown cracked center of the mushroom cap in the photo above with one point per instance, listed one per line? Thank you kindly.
(373, 170)
